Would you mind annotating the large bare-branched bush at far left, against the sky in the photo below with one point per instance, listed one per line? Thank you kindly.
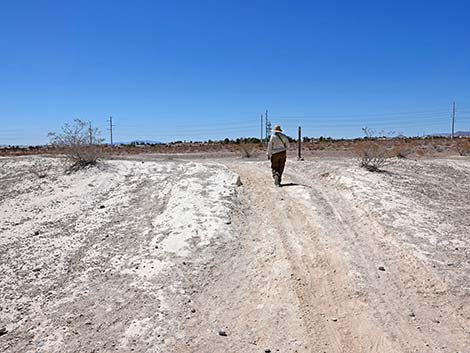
(80, 144)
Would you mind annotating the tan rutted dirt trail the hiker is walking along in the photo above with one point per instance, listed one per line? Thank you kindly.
(305, 277)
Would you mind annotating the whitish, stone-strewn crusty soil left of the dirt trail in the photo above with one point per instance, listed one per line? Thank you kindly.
(102, 259)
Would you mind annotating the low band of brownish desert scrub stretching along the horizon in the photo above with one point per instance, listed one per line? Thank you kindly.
(320, 147)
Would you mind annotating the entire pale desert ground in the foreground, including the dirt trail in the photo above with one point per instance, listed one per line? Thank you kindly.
(156, 254)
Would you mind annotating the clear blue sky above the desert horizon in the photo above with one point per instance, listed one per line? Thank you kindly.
(195, 70)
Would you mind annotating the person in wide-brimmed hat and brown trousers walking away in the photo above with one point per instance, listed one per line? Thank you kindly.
(277, 153)
